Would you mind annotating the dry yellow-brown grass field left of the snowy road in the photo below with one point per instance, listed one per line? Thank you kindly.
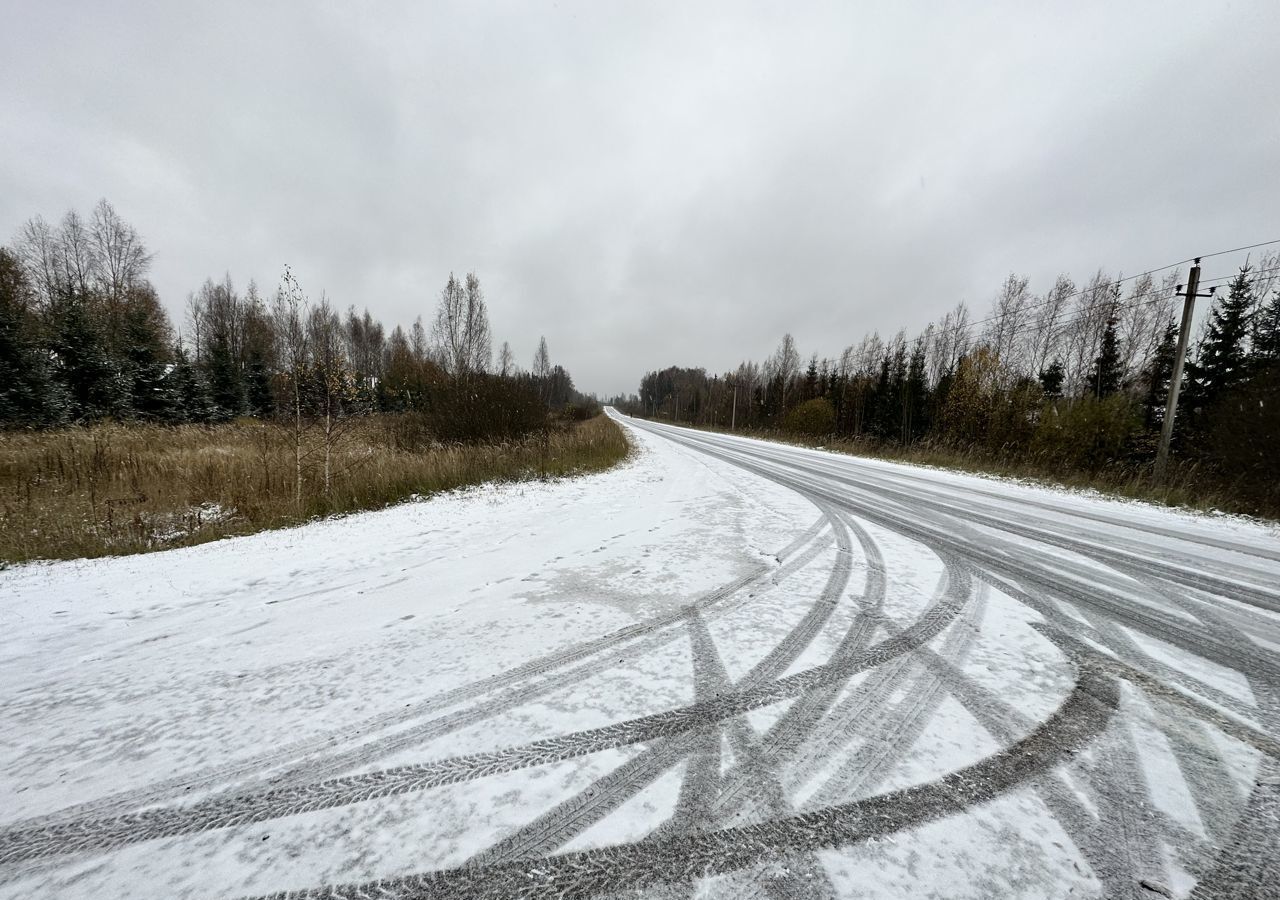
(108, 490)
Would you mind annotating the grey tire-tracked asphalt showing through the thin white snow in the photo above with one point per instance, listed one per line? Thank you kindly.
(758, 808)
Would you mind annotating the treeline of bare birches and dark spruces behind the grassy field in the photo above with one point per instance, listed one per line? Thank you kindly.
(84, 337)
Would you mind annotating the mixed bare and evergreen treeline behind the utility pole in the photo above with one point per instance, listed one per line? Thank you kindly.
(1076, 380)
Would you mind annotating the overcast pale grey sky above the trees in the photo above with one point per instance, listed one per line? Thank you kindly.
(650, 184)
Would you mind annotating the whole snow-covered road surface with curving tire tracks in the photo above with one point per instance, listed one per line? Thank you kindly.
(729, 669)
